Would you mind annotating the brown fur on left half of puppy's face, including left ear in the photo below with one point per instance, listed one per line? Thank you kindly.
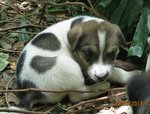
(84, 37)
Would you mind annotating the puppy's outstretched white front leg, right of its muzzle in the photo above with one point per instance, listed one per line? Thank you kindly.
(122, 76)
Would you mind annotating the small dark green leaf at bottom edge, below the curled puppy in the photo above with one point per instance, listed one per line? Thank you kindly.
(58, 108)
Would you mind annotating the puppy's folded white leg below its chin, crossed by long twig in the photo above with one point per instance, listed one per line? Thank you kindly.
(76, 97)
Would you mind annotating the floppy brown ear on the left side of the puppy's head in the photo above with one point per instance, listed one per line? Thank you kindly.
(75, 37)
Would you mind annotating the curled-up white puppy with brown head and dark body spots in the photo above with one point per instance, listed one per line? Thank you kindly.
(78, 53)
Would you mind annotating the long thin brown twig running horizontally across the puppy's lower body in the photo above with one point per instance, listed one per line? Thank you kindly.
(56, 91)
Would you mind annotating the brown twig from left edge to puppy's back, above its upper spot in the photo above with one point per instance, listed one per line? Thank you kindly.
(20, 27)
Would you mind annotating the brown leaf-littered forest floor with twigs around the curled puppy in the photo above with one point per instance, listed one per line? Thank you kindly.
(20, 21)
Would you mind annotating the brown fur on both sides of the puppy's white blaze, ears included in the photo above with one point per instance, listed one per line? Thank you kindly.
(83, 39)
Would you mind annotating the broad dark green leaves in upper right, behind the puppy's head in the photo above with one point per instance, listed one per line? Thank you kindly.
(128, 14)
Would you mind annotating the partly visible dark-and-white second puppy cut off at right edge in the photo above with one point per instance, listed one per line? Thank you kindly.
(138, 89)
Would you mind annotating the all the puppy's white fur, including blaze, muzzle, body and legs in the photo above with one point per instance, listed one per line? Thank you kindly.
(66, 74)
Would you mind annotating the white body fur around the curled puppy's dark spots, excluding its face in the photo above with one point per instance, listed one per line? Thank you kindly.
(66, 74)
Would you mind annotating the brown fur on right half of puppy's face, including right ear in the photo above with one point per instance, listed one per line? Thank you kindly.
(114, 40)
